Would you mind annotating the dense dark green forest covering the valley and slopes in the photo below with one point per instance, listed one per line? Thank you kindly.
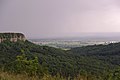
(97, 62)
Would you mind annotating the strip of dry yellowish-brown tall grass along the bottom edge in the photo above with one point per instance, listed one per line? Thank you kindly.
(11, 76)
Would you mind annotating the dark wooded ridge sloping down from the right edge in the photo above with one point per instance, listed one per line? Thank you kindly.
(99, 50)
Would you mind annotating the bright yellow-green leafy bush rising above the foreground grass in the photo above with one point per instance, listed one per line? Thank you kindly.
(23, 65)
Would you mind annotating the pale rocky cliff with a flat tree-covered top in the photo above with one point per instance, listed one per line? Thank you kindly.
(13, 37)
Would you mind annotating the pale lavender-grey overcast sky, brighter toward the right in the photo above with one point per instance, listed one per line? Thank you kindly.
(59, 18)
